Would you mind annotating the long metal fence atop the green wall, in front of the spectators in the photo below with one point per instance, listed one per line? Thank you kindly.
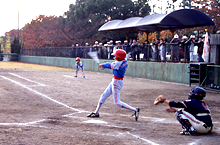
(142, 52)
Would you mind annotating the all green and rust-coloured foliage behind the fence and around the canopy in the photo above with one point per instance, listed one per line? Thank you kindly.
(81, 22)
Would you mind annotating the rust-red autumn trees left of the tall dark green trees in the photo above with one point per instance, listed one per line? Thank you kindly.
(45, 31)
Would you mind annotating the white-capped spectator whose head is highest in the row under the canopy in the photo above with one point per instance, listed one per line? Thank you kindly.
(175, 48)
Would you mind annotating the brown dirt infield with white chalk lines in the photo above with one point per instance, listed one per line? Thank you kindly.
(44, 105)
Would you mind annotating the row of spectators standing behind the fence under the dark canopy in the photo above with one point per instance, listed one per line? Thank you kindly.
(156, 50)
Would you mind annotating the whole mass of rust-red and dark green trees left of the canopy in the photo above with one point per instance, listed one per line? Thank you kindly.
(80, 23)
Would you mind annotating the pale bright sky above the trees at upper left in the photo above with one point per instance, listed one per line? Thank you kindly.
(28, 10)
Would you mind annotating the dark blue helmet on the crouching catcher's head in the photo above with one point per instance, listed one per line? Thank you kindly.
(197, 93)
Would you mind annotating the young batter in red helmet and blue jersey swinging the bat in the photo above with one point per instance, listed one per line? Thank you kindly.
(119, 67)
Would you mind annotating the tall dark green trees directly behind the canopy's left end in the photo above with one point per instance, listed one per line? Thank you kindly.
(83, 19)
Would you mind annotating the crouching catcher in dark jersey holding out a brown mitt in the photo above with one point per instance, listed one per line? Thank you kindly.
(195, 117)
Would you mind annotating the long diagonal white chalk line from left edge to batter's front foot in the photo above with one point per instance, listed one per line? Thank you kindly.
(42, 95)
